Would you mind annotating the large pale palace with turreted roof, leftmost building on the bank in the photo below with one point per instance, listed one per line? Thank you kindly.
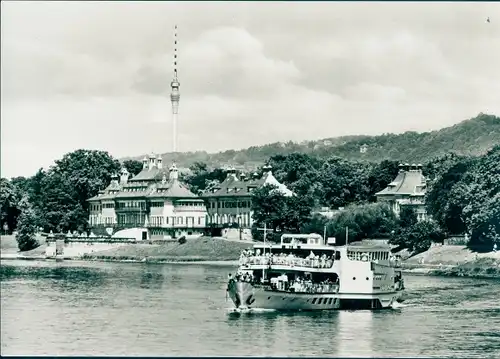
(154, 199)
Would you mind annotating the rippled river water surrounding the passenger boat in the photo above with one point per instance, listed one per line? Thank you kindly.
(79, 308)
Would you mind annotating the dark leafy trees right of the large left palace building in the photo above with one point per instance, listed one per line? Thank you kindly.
(462, 198)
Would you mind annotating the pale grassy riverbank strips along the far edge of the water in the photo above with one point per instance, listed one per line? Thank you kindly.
(456, 261)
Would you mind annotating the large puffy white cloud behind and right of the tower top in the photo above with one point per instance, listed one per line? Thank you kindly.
(224, 61)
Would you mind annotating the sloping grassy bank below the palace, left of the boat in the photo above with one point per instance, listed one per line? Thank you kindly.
(194, 250)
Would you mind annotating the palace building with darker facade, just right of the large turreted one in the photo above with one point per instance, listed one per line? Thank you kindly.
(230, 202)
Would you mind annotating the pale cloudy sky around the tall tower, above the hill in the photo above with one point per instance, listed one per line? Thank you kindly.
(96, 75)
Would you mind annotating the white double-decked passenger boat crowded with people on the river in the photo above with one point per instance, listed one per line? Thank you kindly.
(305, 273)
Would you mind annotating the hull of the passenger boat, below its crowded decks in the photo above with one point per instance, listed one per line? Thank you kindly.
(246, 295)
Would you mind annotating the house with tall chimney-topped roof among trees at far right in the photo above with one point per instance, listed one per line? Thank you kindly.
(407, 189)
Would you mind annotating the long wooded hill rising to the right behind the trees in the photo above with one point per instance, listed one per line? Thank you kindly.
(470, 137)
